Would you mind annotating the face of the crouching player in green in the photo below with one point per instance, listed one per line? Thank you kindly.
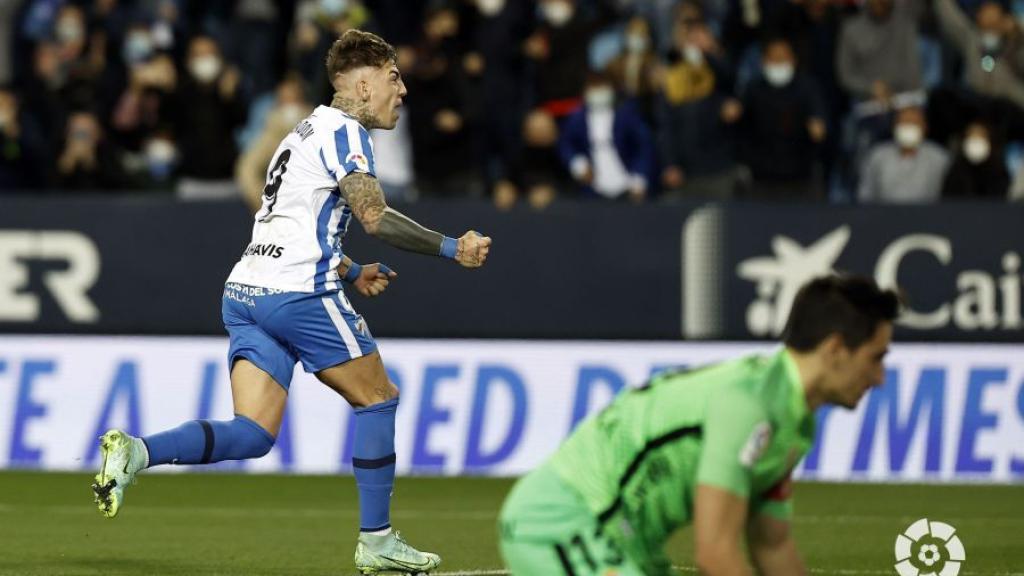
(860, 371)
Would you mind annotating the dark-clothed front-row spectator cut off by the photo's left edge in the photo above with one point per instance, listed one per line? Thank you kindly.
(22, 147)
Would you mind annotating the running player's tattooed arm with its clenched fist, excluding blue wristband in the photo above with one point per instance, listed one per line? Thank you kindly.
(364, 194)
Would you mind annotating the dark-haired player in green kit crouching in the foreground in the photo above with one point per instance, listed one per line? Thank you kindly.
(714, 447)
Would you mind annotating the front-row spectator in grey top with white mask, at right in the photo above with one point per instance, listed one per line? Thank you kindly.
(909, 171)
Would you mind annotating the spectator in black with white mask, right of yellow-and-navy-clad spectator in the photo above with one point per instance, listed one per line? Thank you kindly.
(782, 125)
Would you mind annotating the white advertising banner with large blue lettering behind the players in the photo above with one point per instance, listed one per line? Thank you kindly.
(947, 414)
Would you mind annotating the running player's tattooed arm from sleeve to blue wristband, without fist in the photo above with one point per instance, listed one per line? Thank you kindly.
(364, 194)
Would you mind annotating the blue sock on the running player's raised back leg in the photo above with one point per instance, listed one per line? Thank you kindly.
(204, 442)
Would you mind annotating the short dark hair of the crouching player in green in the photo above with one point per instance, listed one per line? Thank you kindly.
(850, 306)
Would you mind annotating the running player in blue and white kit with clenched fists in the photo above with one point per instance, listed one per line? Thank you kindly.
(283, 304)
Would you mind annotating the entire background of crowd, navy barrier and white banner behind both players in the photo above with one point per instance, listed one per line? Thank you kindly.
(655, 174)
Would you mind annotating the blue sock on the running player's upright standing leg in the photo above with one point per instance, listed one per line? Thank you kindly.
(373, 464)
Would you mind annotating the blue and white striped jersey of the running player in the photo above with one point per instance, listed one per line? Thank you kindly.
(296, 242)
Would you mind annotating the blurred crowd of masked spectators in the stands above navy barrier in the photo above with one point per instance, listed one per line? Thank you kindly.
(528, 102)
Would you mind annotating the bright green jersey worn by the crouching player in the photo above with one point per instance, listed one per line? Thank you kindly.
(740, 426)
